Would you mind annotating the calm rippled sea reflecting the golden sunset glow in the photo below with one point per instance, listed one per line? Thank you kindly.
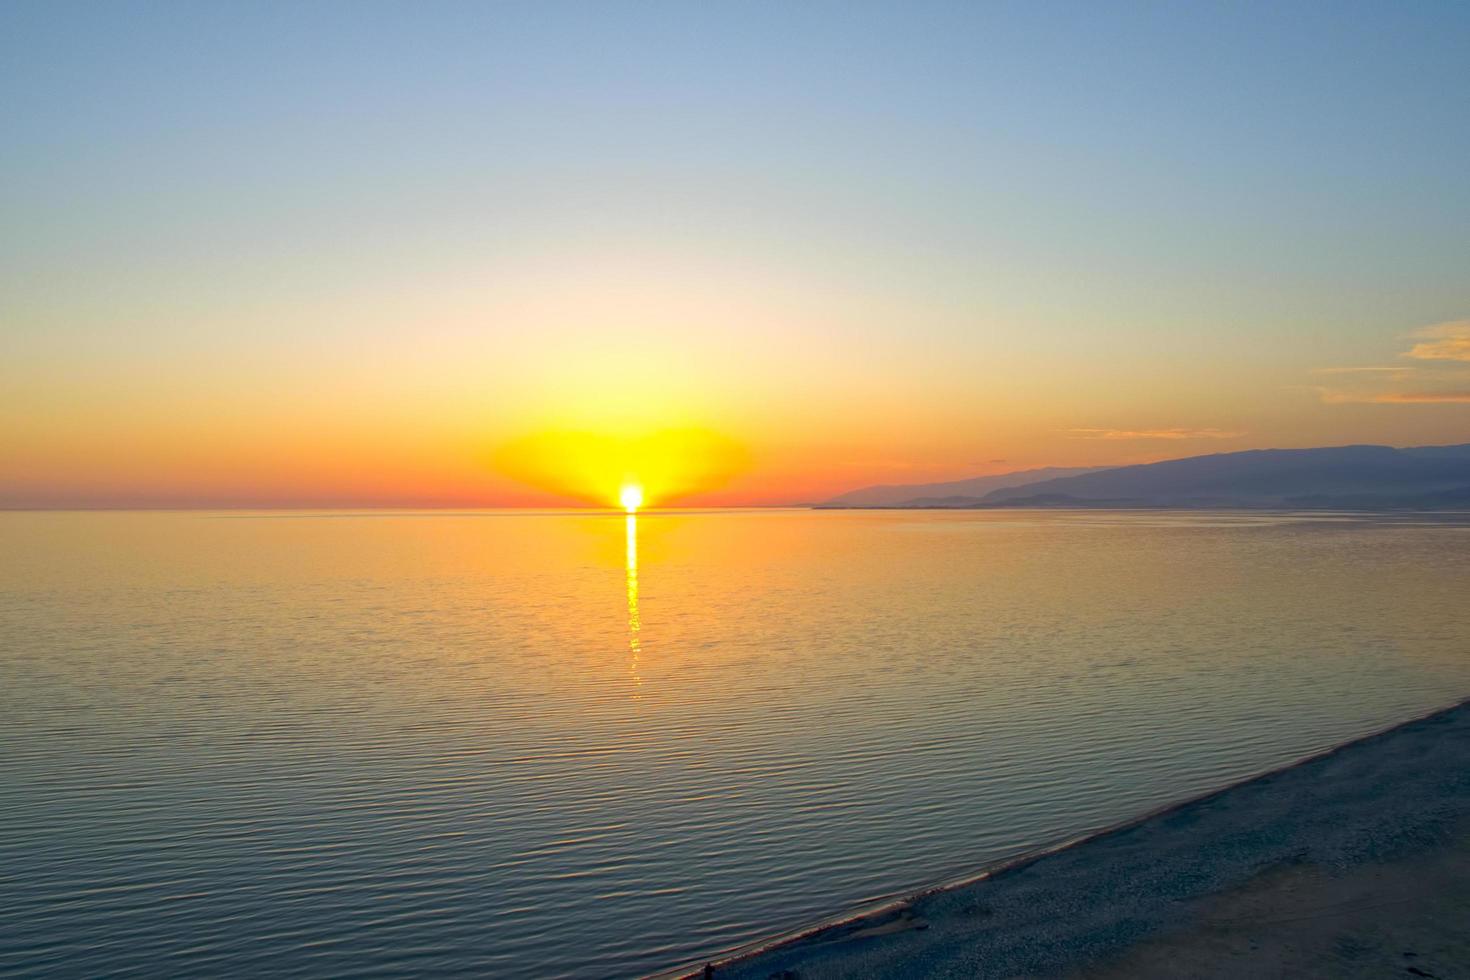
(580, 746)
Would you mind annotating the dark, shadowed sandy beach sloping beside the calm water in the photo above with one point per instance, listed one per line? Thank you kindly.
(1349, 865)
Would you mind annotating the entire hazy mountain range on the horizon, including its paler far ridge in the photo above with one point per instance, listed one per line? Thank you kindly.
(1333, 478)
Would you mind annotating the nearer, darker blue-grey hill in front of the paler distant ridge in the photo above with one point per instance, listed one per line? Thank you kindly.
(1366, 475)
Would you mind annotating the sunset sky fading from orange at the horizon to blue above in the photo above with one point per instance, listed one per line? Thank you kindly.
(747, 253)
